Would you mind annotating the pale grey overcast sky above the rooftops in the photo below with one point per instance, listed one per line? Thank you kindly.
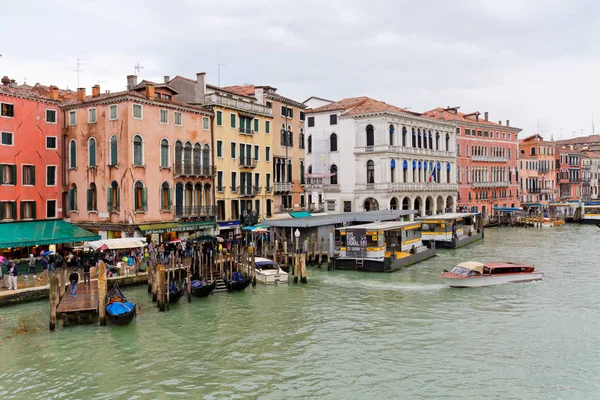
(530, 61)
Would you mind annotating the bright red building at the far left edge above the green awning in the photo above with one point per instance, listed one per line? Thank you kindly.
(30, 153)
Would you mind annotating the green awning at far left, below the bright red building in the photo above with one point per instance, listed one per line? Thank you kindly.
(35, 233)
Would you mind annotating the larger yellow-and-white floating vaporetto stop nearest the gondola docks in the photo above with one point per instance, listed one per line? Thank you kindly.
(381, 246)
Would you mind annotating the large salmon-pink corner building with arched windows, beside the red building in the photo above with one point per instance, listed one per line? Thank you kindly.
(138, 163)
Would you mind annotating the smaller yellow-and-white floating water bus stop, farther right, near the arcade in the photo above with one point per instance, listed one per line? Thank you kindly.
(452, 230)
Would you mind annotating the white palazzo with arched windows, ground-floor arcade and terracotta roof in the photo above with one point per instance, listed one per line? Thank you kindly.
(363, 154)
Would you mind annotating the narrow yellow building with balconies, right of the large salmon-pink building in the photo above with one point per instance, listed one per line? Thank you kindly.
(243, 134)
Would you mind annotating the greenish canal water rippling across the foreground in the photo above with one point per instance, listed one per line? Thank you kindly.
(345, 335)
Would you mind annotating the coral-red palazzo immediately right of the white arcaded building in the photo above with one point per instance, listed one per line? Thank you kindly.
(487, 156)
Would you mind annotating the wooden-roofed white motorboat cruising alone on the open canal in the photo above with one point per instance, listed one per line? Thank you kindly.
(476, 274)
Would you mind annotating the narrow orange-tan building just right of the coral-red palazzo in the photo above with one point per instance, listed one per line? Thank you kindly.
(537, 171)
